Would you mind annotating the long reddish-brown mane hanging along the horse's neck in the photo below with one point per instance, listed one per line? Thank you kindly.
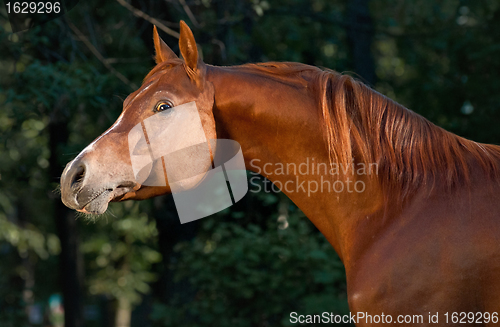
(363, 125)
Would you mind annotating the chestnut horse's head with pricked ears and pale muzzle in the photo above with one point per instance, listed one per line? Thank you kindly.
(103, 171)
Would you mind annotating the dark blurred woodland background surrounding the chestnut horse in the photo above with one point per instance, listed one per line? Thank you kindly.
(62, 84)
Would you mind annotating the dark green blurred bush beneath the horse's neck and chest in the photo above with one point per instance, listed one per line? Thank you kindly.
(254, 276)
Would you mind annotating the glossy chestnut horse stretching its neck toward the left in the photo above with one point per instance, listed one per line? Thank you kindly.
(421, 238)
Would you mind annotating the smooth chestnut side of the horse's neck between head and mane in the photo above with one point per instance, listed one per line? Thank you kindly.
(278, 126)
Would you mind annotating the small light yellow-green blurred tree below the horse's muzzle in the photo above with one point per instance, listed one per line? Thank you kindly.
(120, 258)
